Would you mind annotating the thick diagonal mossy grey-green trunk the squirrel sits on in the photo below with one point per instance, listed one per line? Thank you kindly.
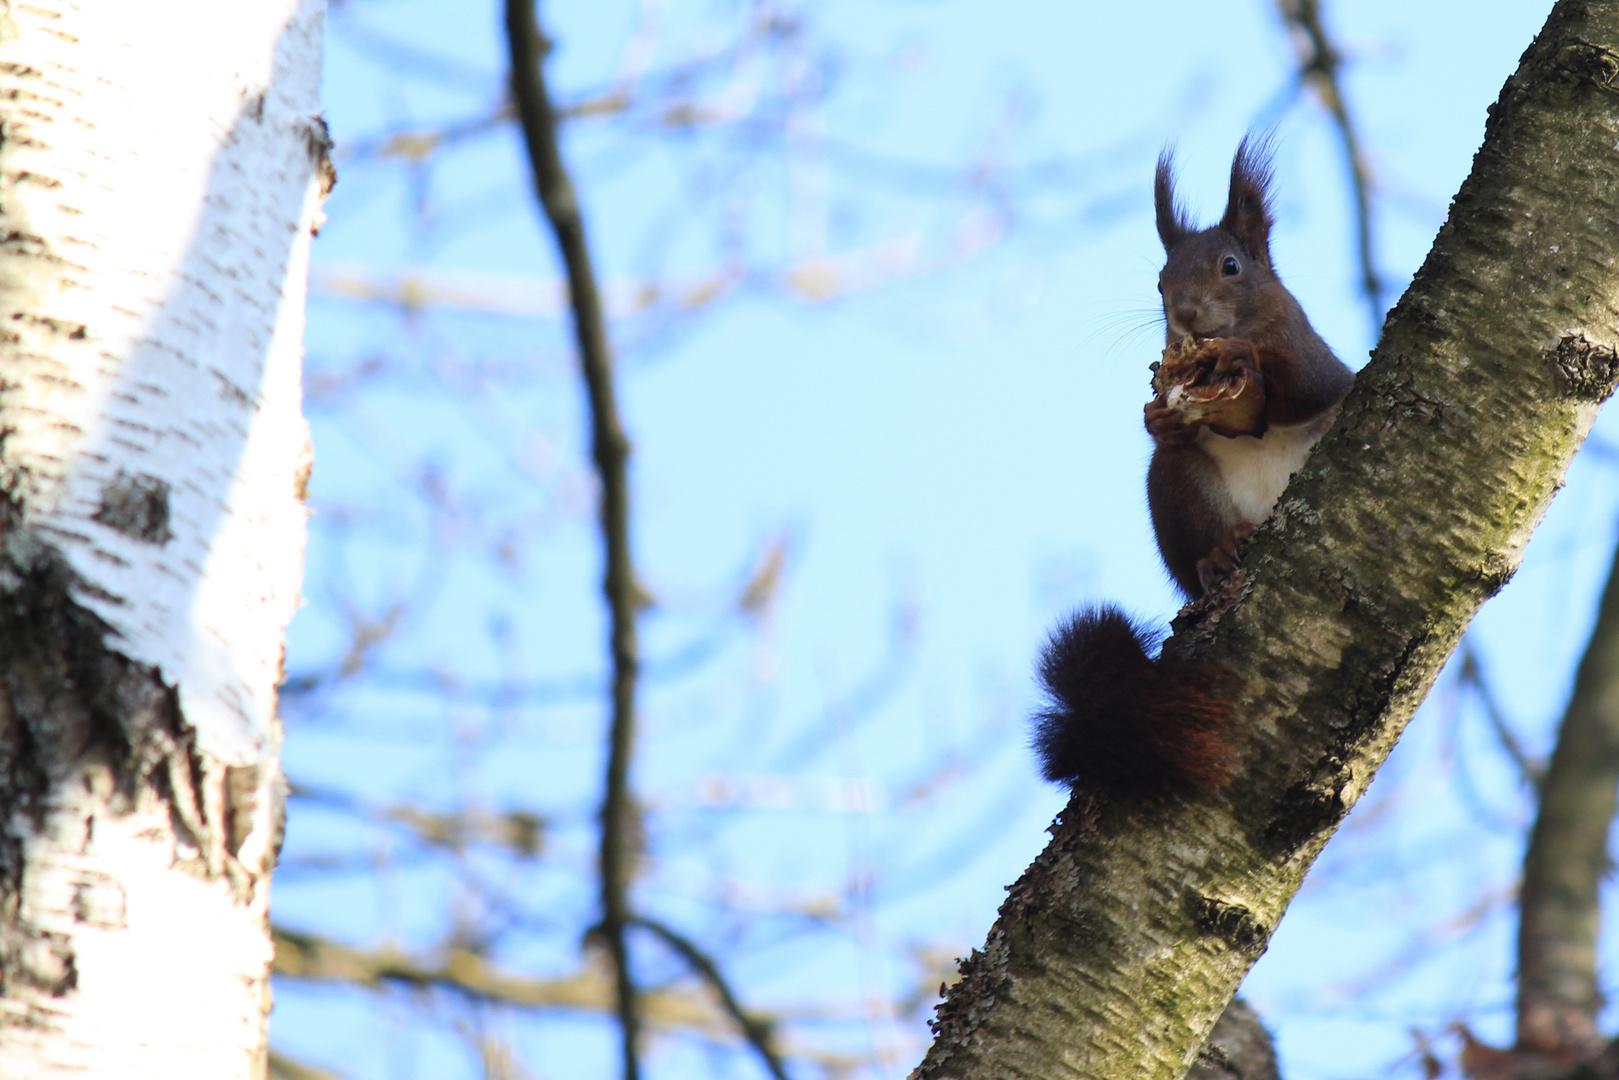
(1120, 948)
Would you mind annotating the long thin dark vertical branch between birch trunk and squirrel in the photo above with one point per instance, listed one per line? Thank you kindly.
(611, 451)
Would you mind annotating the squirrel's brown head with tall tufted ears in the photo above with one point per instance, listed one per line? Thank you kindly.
(1213, 279)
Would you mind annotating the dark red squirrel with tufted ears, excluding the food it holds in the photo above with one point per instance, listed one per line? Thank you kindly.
(1120, 720)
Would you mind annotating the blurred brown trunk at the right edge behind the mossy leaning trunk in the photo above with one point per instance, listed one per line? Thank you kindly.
(1568, 854)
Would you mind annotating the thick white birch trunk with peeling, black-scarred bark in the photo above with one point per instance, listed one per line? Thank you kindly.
(161, 171)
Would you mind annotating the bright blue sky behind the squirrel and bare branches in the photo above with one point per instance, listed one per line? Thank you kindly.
(953, 453)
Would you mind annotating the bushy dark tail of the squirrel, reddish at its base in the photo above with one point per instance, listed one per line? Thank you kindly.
(1120, 721)
